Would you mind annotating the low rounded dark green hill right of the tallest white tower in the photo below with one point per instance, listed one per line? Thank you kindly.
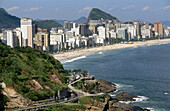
(47, 24)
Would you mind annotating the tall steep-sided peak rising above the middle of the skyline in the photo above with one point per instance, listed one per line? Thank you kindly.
(97, 14)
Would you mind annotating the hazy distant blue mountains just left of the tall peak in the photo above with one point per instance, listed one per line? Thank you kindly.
(78, 21)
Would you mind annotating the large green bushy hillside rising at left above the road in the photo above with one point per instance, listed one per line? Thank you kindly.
(20, 67)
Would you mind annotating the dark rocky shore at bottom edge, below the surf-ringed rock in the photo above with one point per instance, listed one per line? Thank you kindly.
(123, 107)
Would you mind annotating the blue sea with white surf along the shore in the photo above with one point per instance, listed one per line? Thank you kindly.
(142, 71)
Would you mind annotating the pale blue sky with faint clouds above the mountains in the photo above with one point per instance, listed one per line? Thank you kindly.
(124, 10)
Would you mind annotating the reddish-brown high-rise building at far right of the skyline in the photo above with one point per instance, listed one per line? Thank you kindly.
(159, 28)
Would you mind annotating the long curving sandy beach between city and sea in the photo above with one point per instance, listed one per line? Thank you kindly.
(77, 53)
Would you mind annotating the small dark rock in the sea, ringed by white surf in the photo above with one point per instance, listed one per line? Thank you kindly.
(123, 96)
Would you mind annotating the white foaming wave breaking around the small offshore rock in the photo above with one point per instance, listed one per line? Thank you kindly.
(137, 99)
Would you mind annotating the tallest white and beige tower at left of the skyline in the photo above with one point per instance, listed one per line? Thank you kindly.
(27, 31)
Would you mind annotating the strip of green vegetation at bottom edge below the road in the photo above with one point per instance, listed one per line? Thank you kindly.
(66, 107)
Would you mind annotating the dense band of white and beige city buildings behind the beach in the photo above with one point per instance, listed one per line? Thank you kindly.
(73, 35)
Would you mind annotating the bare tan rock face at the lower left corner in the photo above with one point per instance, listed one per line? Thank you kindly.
(14, 99)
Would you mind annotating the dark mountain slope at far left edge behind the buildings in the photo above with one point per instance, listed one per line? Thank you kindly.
(7, 20)
